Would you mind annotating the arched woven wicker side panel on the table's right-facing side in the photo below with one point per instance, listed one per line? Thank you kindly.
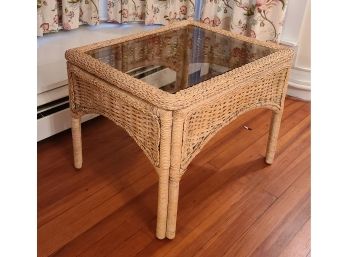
(206, 120)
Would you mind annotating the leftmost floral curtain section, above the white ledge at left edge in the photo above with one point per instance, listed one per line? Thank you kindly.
(66, 14)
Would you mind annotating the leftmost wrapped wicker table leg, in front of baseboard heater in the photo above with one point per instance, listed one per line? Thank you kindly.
(77, 142)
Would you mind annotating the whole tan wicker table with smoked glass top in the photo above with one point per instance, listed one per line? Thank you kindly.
(174, 88)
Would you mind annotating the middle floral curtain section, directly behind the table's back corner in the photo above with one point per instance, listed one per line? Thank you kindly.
(150, 11)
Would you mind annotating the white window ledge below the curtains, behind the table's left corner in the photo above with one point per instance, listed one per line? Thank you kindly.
(51, 64)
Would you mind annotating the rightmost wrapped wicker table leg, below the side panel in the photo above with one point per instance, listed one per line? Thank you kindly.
(273, 136)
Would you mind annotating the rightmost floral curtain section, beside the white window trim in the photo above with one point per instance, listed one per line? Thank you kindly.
(262, 19)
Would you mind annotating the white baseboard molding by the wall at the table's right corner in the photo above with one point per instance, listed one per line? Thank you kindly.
(300, 83)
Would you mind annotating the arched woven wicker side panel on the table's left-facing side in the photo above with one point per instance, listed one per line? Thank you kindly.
(140, 119)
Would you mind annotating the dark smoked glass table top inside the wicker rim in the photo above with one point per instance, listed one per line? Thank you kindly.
(181, 58)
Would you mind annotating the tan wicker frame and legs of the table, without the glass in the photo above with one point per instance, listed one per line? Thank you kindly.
(172, 128)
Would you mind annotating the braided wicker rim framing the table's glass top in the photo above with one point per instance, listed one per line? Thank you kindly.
(189, 96)
